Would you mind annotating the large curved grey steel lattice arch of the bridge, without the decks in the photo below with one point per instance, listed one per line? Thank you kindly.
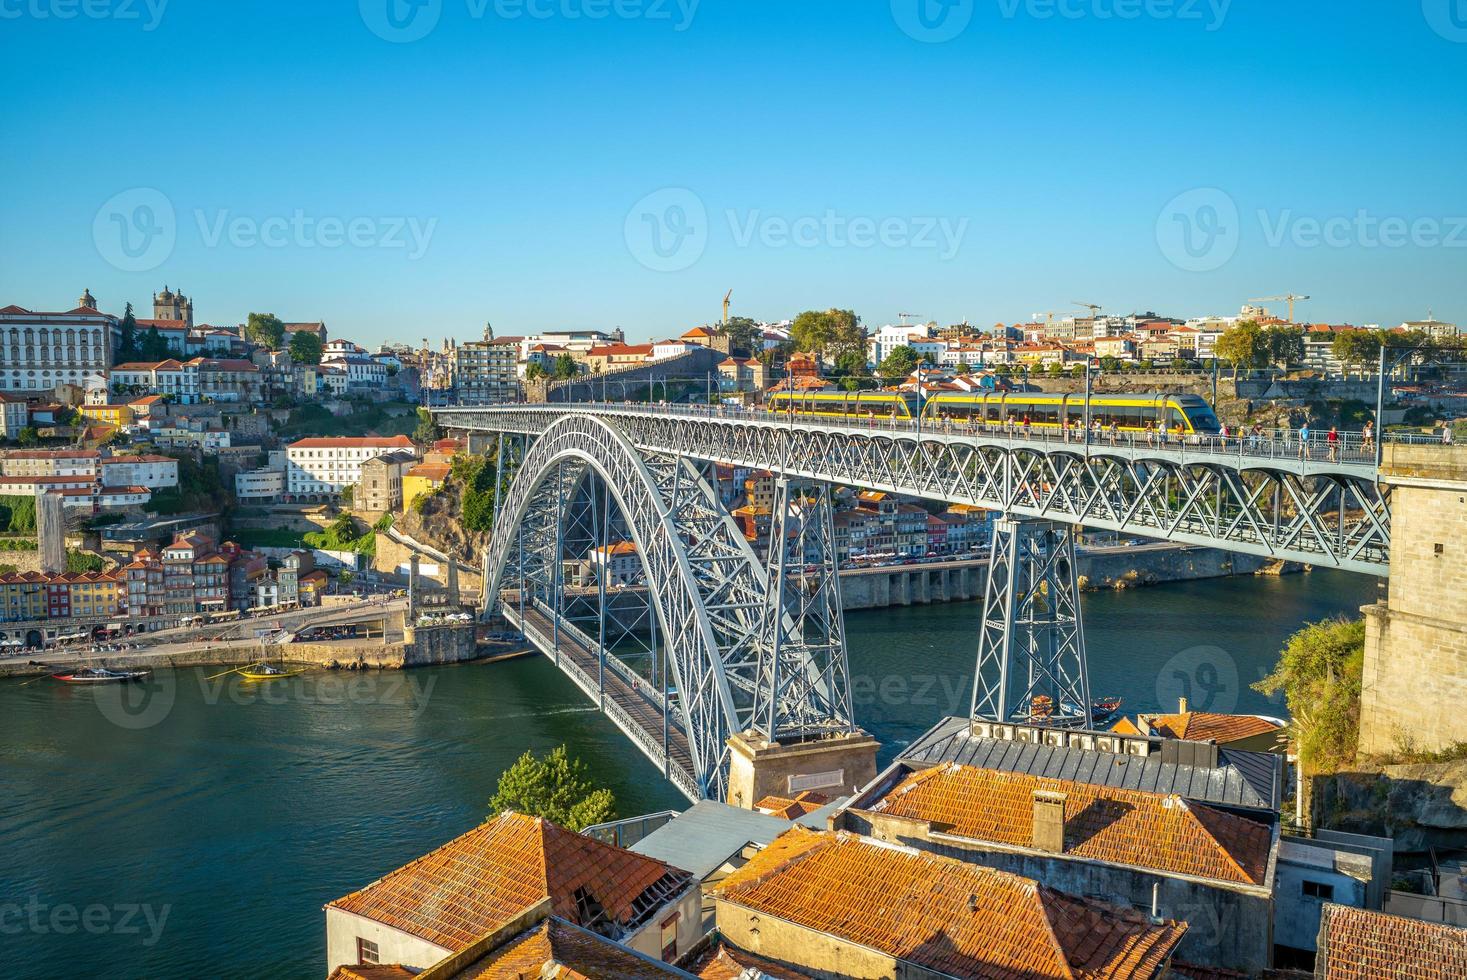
(705, 582)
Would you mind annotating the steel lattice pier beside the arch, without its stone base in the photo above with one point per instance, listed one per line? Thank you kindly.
(803, 683)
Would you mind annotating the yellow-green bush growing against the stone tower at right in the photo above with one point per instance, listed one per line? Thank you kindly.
(1320, 677)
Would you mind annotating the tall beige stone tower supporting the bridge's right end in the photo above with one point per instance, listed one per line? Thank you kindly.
(1415, 680)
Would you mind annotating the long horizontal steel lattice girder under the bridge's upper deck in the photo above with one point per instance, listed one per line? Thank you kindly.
(1320, 513)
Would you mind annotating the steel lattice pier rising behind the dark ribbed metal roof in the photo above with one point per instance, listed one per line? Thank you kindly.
(1032, 648)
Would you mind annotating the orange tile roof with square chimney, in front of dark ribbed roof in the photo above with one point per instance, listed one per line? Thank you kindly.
(1120, 827)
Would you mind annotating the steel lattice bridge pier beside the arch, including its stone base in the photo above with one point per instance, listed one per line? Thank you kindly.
(802, 734)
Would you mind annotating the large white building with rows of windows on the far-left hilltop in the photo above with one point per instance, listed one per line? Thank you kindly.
(43, 350)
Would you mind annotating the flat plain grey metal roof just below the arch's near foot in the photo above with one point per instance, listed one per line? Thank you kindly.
(706, 835)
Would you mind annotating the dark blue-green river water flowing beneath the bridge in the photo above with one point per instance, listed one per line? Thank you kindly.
(200, 833)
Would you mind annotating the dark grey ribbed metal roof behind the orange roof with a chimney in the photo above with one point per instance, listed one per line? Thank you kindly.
(1242, 778)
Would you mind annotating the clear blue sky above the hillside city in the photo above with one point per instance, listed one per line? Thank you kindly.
(523, 147)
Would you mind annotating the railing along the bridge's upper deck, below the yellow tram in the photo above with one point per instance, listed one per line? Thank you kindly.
(1283, 445)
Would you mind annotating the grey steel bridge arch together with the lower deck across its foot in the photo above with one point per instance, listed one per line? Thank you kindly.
(705, 583)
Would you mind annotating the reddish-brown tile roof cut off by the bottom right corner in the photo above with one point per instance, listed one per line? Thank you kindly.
(1356, 944)
